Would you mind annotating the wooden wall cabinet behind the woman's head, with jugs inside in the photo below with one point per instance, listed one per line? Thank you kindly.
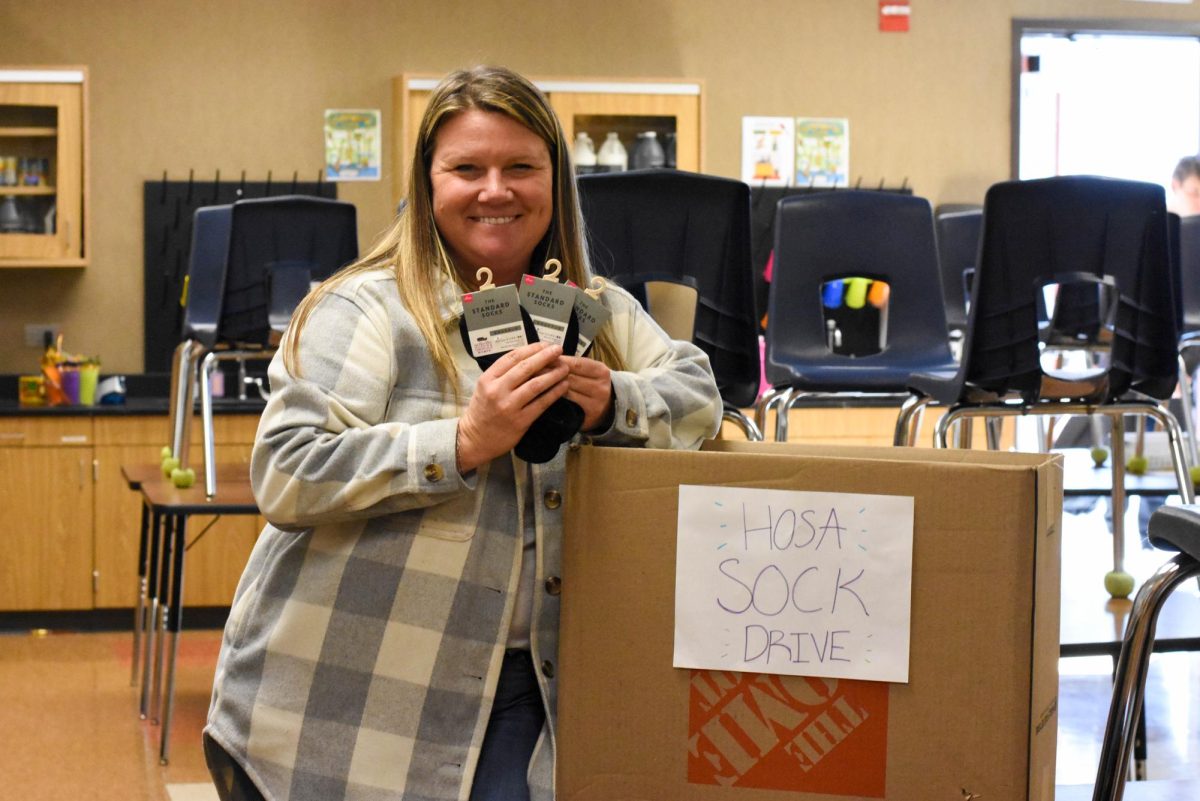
(596, 106)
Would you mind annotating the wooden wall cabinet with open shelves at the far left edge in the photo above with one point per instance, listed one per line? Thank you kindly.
(44, 162)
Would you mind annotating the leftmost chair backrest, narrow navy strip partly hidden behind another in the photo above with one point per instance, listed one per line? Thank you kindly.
(206, 274)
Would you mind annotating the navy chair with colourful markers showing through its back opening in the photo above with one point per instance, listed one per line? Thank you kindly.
(833, 236)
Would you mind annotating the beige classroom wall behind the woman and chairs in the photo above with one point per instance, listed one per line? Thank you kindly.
(241, 86)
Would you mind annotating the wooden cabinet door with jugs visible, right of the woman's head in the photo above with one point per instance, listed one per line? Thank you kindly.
(627, 115)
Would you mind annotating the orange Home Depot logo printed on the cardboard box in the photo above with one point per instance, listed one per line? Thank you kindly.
(788, 733)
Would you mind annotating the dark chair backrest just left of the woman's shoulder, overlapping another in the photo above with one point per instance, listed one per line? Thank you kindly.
(278, 248)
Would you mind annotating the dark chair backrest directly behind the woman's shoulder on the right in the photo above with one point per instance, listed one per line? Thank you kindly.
(675, 225)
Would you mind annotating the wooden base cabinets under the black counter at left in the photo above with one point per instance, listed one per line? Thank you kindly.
(70, 526)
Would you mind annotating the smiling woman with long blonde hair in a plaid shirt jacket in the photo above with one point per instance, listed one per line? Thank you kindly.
(395, 633)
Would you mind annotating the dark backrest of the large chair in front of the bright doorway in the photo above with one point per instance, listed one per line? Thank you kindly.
(1063, 231)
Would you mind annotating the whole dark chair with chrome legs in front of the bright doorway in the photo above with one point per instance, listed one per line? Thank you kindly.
(1109, 240)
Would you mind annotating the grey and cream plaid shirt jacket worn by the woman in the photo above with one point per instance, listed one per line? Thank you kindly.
(367, 636)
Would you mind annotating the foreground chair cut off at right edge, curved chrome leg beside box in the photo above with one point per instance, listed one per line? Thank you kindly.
(1172, 528)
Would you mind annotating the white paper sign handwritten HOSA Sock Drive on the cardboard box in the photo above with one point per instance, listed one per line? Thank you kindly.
(797, 583)
